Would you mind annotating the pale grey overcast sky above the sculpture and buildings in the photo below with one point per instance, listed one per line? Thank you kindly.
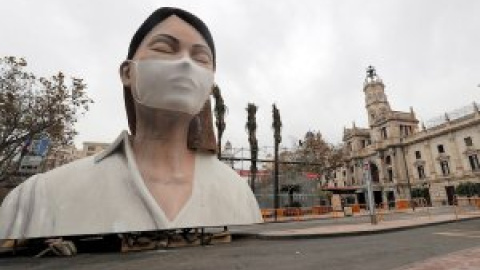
(308, 57)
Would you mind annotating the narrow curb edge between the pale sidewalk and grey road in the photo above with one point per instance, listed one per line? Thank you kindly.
(262, 236)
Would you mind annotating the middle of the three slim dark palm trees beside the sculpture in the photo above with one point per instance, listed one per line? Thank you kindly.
(252, 140)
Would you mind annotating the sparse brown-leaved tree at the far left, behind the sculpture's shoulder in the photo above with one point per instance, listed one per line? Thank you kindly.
(31, 105)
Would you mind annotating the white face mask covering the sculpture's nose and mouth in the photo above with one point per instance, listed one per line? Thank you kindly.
(174, 85)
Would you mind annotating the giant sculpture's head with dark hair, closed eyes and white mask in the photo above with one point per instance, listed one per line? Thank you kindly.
(171, 34)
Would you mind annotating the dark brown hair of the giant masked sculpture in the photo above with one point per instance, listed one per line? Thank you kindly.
(201, 135)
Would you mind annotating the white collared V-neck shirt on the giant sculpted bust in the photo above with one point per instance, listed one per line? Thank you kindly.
(106, 194)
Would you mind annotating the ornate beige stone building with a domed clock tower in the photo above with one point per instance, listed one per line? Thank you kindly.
(405, 158)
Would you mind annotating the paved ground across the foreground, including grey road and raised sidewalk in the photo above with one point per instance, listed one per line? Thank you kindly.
(425, 242)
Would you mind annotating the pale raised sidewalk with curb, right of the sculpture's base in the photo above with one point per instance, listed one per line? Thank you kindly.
(300, 230)
